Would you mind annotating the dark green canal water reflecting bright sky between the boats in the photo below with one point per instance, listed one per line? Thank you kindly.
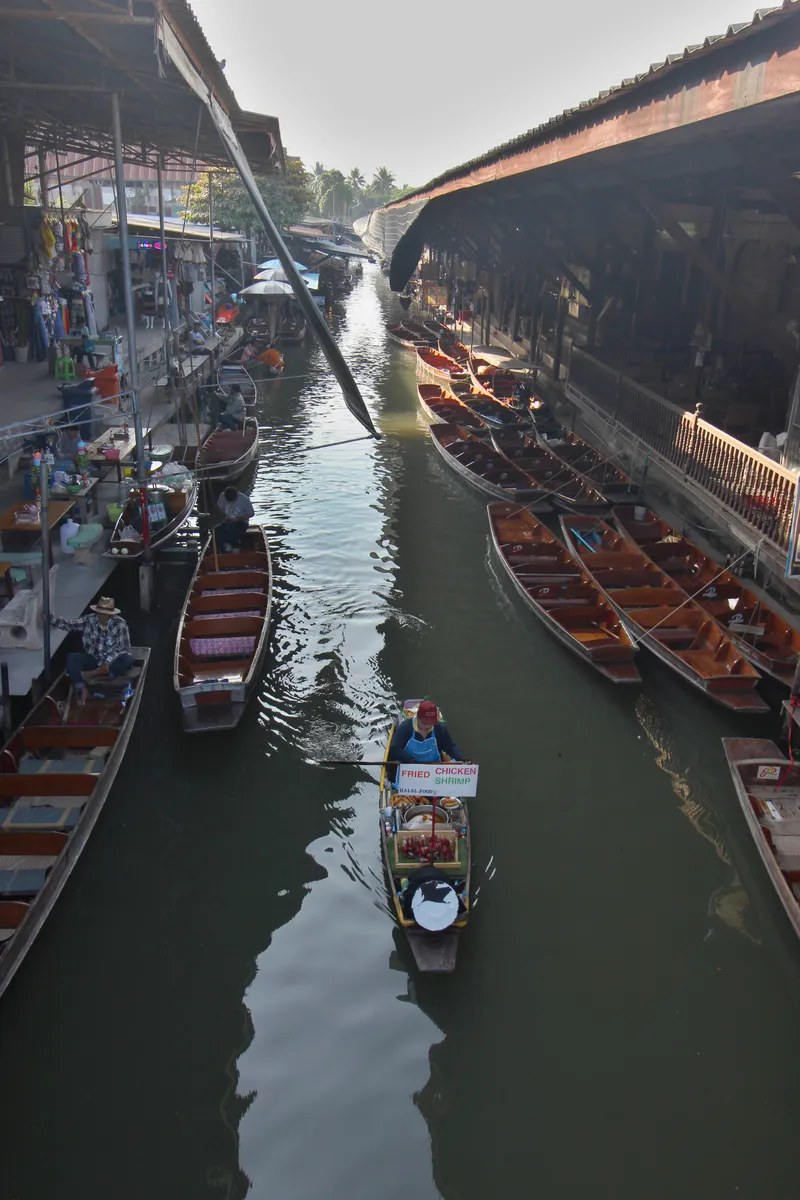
(220, 1005)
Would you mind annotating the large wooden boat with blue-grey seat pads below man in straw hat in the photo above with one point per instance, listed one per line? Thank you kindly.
(56, 773)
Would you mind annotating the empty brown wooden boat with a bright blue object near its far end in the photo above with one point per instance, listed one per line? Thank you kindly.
(658, 613)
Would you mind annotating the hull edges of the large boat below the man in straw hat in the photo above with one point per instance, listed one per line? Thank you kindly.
(15, 950)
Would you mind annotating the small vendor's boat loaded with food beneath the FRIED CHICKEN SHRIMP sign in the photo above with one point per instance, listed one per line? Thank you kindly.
(407, 829)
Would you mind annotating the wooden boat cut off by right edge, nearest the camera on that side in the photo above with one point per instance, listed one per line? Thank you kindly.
(768, 787)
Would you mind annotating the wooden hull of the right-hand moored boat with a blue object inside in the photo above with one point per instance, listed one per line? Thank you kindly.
(733, 692)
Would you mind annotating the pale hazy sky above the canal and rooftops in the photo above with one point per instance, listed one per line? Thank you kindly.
(420, 86)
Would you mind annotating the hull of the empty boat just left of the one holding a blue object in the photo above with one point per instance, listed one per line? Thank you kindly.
(616, 663)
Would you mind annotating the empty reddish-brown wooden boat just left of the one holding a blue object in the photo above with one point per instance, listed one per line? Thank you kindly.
(561, 592)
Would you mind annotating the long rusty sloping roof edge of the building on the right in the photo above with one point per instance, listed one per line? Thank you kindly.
(672, 63)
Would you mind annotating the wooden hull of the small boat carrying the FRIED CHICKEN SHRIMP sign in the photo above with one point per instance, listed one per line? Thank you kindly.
(434, 953)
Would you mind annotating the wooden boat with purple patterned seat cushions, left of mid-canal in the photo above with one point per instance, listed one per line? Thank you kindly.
(224, 634)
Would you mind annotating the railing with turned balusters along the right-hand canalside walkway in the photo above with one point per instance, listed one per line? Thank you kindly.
(747, 483)
